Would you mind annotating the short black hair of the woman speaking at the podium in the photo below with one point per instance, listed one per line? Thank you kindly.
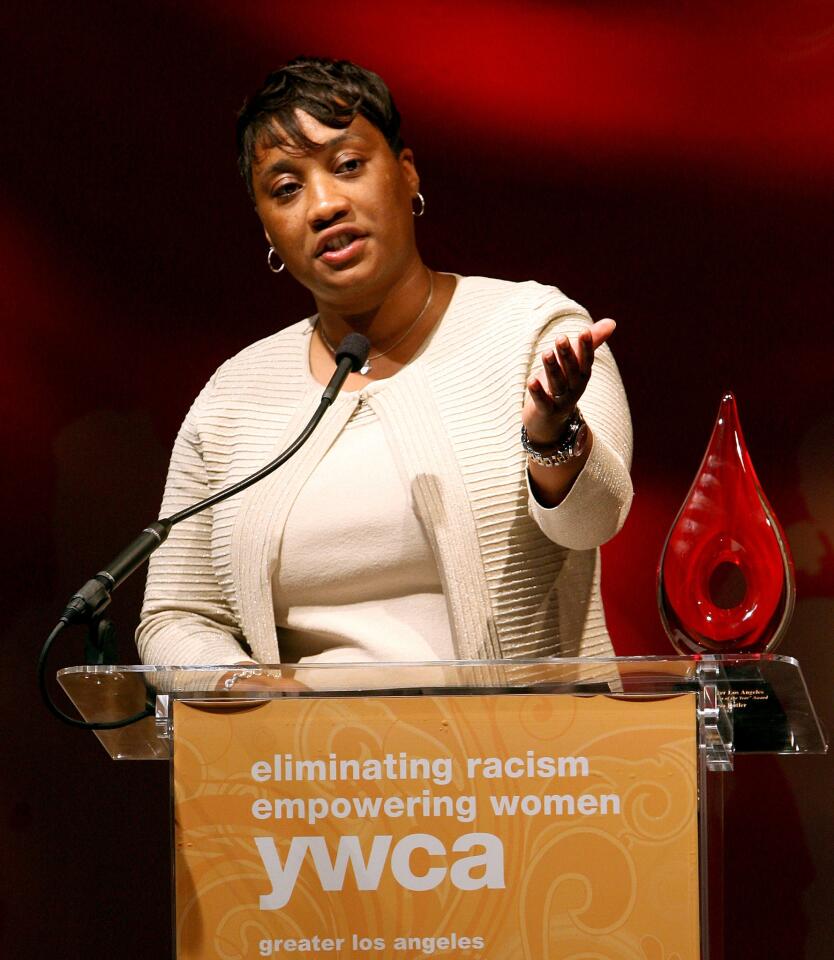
(331, 91)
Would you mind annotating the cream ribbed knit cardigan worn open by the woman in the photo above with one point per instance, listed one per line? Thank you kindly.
(519, 580)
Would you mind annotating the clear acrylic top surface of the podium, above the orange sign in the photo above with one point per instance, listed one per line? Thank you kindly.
(764, 697)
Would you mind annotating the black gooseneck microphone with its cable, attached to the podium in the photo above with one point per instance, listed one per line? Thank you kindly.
(95, 595)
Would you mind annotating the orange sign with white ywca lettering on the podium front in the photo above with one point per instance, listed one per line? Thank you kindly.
(458, 827)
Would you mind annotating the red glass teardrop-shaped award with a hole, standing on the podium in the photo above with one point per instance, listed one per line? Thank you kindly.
(725, 579)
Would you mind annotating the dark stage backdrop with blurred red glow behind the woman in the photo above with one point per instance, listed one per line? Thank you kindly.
(671, 165)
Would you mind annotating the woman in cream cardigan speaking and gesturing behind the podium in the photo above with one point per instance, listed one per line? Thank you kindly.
(452, 503)
